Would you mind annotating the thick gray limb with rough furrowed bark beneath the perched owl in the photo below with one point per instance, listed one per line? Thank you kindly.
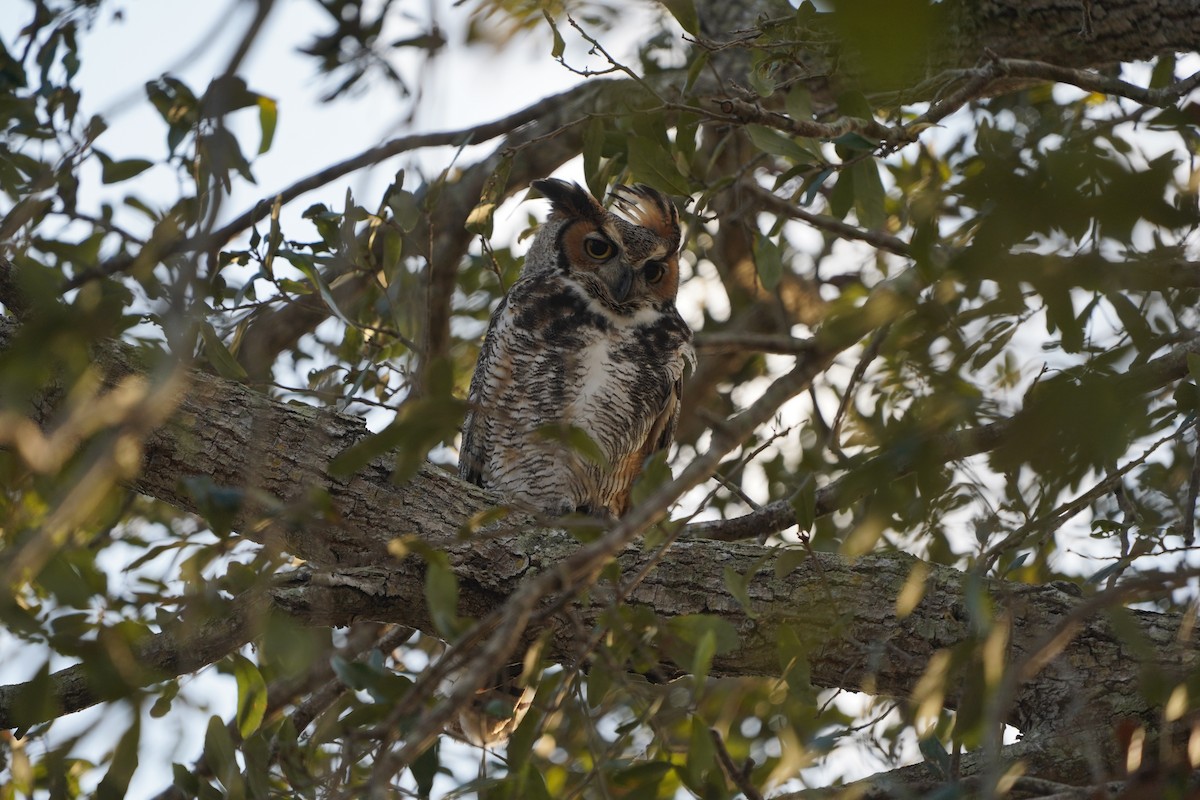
(842, 610)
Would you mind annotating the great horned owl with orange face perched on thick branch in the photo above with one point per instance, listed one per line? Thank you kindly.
(589, 338)
